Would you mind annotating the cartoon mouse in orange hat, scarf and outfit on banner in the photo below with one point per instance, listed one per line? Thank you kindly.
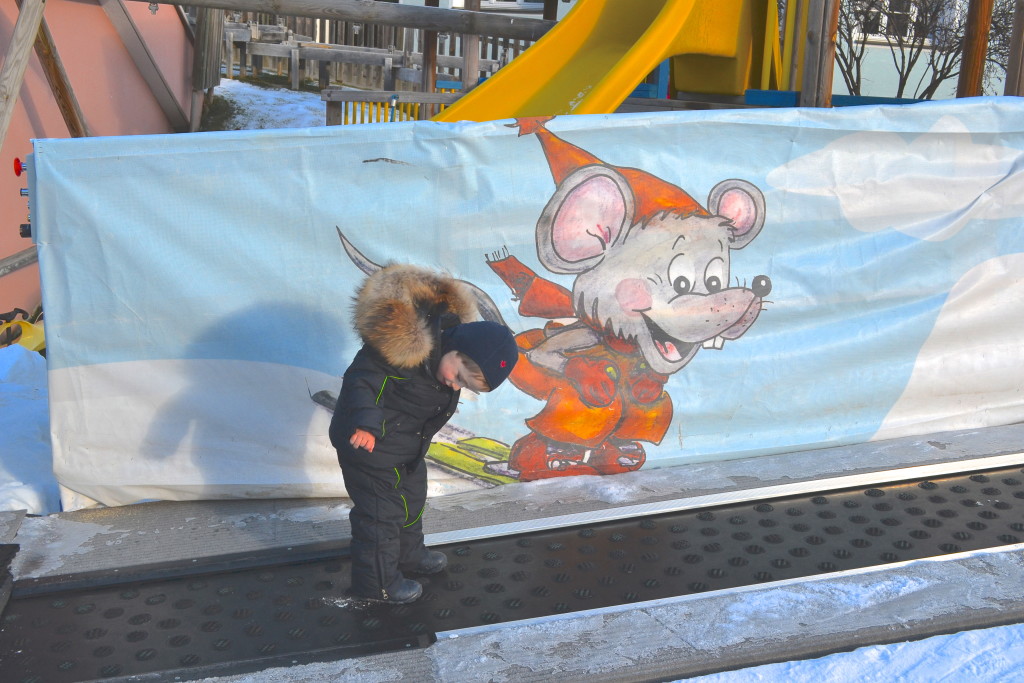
(652, 288)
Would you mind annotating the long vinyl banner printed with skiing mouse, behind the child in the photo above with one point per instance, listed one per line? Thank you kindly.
(686, 287)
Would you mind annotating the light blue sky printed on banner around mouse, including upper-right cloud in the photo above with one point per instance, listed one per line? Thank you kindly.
(225, 245)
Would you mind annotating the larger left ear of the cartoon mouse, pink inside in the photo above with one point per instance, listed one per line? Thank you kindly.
(589, 212)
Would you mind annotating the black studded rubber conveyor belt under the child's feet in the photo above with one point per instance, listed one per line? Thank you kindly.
(242, 621)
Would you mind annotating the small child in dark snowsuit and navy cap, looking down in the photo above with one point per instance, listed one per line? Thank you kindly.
(420, 349)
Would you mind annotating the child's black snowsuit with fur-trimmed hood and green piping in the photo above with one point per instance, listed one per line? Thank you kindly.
(403, 406)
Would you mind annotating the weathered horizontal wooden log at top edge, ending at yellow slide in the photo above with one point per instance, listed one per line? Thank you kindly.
(389, 14)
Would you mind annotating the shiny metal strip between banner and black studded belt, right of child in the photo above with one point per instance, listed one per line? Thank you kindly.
(730, 498)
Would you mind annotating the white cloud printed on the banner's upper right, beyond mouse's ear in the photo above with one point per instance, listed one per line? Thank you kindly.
(928, 188)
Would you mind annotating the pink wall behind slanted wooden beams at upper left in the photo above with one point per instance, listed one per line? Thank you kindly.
(112, 94)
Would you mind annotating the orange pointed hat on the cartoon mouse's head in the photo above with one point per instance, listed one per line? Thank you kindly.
(653, 195)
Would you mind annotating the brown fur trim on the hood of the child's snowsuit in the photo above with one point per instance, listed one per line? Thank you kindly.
(392, 308)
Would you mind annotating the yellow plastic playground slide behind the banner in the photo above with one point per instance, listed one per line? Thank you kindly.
(594, 58)
